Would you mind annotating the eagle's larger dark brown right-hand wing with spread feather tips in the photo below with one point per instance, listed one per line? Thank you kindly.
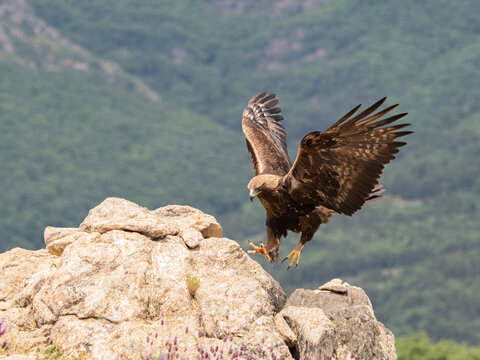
(340, 167)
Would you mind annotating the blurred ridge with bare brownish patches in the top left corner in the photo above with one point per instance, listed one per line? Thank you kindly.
(29, 42)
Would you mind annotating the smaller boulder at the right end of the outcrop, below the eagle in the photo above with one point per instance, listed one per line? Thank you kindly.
(337, 324)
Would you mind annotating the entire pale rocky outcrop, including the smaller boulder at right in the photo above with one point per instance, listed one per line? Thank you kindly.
(132, 283)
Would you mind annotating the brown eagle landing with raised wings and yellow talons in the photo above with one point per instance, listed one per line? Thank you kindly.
(336, 171)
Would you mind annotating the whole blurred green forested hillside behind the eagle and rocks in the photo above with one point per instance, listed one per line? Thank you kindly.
(143, 100)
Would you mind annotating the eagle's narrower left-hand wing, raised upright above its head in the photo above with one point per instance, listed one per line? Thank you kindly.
(266, 137)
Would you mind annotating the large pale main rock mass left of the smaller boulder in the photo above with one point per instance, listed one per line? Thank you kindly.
(120, 278)
